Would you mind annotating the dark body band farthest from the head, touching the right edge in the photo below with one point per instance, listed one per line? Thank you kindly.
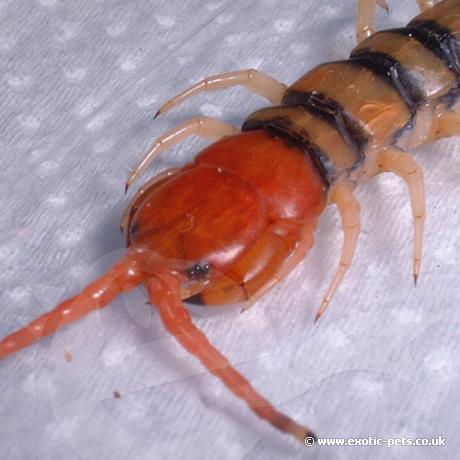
(437, 39)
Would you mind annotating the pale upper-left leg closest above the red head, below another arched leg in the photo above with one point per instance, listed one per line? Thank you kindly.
(201, 126)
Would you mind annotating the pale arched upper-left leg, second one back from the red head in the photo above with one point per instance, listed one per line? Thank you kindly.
(255, 81)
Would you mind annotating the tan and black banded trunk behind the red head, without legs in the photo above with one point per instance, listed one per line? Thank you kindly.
(390, 92)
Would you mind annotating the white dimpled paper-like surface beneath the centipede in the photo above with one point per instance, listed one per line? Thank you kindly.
(79, 83)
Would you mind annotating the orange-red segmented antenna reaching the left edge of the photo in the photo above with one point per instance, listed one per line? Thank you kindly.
(123, 277)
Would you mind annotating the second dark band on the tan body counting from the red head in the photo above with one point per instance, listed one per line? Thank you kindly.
(322, 106)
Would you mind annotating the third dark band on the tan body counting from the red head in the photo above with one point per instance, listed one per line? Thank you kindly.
(392, 71)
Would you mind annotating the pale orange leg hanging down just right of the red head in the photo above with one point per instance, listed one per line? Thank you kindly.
(349, 209)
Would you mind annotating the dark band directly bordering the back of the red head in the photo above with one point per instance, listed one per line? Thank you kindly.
(282, 127)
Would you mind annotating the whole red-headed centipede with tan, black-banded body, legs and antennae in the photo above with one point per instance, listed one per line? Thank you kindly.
(237, 219)
